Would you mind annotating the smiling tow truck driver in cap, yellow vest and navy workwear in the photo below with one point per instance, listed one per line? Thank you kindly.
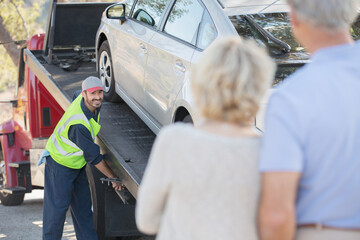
(69, 149)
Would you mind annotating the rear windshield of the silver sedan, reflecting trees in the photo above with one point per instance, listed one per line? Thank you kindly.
(273, 30)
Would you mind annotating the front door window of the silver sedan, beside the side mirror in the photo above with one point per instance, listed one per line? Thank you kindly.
(149, 11)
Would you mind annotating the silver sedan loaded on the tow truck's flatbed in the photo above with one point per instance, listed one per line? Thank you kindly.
(146, 48)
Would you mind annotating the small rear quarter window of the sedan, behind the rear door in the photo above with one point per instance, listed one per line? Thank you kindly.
(207, 31)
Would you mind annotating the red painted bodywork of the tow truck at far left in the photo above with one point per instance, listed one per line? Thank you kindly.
(35, 115)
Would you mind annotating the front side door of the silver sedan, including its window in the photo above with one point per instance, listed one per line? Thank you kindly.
(131, 45)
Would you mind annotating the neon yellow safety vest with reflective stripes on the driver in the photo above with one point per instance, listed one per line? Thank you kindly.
(61, 149)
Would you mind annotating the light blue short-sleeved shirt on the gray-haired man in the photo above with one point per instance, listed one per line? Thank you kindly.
(312, 126)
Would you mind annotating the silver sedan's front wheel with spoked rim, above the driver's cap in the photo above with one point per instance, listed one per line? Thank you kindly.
(106, 73)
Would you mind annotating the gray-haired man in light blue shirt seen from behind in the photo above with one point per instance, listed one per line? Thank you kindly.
(310, 155)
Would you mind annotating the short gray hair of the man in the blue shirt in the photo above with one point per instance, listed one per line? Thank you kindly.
(330, 15)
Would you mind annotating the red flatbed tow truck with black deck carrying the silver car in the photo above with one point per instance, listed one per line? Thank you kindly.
(52, 68)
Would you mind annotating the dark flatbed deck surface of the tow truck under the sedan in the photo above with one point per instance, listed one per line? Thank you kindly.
(124, 138)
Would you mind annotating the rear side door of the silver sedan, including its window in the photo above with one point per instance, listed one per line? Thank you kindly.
(169, 59)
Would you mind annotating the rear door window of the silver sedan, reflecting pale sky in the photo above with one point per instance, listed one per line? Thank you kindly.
(184, 20)
